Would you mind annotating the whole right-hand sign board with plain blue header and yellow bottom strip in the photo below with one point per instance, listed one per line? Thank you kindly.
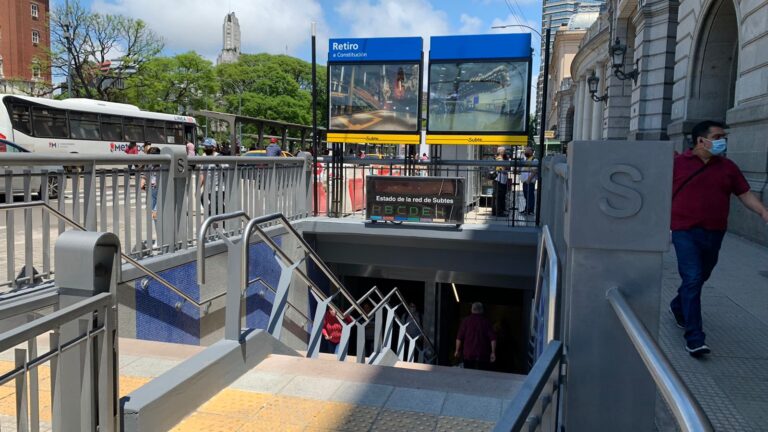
(479, 86)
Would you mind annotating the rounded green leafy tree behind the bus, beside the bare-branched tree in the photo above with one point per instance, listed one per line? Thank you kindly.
(173, 85)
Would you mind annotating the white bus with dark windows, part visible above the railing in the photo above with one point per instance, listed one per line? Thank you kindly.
(87, 126)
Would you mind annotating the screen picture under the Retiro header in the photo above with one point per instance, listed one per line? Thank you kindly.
(374, 97)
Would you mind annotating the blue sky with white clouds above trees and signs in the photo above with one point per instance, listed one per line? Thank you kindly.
(283, 26)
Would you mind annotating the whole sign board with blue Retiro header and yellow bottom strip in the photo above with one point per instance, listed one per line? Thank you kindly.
(374, 87)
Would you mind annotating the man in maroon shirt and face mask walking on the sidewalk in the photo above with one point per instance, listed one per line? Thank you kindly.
(702, 184)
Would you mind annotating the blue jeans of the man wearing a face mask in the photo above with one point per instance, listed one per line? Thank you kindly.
(697, 250)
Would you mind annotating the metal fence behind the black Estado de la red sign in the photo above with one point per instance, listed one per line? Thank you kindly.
(342, 190)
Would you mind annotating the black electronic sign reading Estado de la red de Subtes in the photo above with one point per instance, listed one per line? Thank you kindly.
(415, 199)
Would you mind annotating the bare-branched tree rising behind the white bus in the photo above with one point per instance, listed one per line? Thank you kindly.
(99, 51)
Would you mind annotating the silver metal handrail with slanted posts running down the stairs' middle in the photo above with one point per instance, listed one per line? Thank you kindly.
(351, 314)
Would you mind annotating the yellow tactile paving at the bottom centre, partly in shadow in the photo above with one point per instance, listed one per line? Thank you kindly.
(244, 411)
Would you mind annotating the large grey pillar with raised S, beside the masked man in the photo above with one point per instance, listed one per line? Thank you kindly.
(616, 232)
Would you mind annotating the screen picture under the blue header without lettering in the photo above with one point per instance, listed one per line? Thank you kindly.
(478, 97)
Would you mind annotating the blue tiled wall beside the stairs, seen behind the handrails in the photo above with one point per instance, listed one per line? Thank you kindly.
(157, 318)
